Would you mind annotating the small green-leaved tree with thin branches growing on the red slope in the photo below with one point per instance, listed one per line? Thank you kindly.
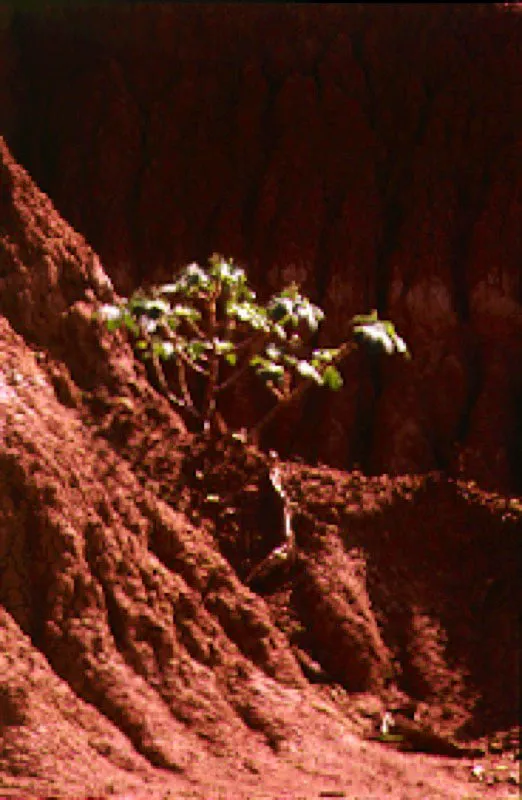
(210, 324)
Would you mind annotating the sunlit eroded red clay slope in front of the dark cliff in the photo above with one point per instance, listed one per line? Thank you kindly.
(135, 659)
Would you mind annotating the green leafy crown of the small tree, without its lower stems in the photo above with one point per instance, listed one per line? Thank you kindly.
(282, 323)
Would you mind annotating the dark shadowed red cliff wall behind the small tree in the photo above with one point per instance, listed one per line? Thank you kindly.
(372, 152)
